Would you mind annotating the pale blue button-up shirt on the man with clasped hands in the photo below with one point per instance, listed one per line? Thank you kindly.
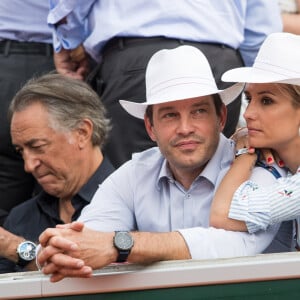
(143, 195)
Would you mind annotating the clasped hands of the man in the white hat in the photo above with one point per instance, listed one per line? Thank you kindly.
(73, 250)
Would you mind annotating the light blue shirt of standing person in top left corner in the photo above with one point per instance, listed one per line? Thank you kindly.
(25, 21)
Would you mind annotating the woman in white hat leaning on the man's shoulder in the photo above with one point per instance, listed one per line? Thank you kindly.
(273, 120)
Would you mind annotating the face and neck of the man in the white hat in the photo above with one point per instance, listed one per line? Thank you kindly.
(187, 133)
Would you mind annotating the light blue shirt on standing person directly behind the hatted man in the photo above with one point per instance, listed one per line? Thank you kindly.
(242, 24)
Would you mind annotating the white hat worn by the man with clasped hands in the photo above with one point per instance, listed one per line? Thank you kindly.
(177, 74)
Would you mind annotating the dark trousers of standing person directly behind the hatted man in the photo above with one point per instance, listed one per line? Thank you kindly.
(121, 75)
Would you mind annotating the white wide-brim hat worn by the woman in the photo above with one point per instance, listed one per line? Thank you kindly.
(278, 61)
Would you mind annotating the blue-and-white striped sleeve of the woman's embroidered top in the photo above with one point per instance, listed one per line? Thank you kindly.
(261, 207)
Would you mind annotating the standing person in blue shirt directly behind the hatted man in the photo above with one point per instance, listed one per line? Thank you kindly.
(122, 35)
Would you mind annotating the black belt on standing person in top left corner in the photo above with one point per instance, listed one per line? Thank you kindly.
(8, 47)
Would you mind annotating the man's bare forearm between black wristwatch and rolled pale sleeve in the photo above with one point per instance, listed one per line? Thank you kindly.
(151, 247)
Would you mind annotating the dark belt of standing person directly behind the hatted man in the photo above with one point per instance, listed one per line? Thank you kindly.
(119, 43)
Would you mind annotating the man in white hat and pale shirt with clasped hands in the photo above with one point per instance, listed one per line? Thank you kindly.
(156, 206)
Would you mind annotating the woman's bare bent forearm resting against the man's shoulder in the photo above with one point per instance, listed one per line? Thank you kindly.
(239, 172)
